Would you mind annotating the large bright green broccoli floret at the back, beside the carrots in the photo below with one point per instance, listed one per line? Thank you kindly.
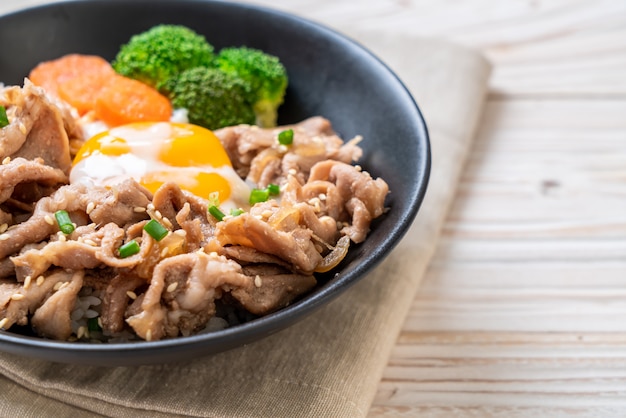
(162, 52)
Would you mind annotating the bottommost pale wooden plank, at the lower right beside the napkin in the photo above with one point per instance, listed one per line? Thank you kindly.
(504, 373)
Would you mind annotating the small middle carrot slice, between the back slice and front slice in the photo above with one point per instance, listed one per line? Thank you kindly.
(82, 90)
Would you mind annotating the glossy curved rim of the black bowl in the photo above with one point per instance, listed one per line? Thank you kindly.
(145, 352)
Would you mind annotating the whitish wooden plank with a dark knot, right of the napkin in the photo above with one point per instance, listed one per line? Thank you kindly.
(545, 167)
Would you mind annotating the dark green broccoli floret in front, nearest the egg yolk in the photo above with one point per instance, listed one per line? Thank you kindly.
(213, 99)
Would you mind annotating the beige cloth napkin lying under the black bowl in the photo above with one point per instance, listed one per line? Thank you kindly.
(328, 365)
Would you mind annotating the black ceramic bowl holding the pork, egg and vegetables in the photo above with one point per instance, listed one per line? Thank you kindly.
(329, 75)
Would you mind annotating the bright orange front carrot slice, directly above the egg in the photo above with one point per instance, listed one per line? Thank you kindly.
(124, 100)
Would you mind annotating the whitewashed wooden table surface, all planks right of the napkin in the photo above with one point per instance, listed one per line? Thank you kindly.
(523, 310)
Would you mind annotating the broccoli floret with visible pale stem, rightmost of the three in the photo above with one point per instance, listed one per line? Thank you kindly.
(265, 75)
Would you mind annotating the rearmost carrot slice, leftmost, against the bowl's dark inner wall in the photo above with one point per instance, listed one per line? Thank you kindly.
(51, 74)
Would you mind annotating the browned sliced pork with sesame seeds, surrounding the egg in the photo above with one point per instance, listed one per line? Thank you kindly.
(256, 262)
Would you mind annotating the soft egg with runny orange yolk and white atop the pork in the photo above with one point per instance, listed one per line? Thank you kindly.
(154, 153)
